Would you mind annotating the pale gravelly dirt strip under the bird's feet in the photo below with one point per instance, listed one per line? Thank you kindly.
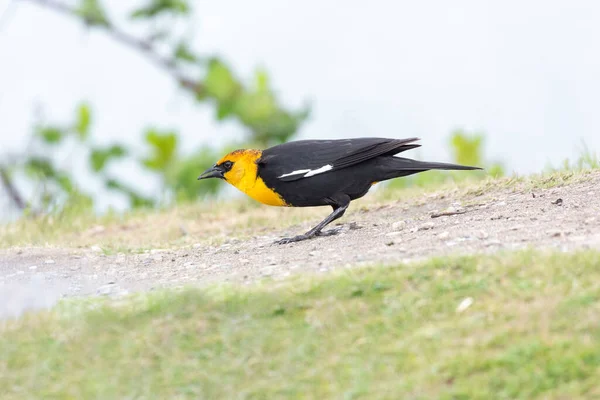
(564, 218)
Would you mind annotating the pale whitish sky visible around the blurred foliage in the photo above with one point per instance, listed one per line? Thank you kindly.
(525, 72)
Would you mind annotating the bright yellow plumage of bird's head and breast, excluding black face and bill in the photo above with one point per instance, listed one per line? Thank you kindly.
(244, 176)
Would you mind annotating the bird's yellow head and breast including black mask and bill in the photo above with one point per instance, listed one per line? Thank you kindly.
(240, 169)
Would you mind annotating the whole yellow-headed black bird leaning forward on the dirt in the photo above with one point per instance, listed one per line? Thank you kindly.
(312, 173)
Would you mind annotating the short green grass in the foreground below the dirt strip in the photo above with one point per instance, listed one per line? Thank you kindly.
(532, 332)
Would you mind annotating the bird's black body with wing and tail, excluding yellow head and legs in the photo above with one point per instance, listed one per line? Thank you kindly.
(356, 165)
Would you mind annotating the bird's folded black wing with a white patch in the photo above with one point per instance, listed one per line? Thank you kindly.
(306, 158)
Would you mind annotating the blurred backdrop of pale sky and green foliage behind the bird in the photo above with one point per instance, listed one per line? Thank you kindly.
(112, 104)
